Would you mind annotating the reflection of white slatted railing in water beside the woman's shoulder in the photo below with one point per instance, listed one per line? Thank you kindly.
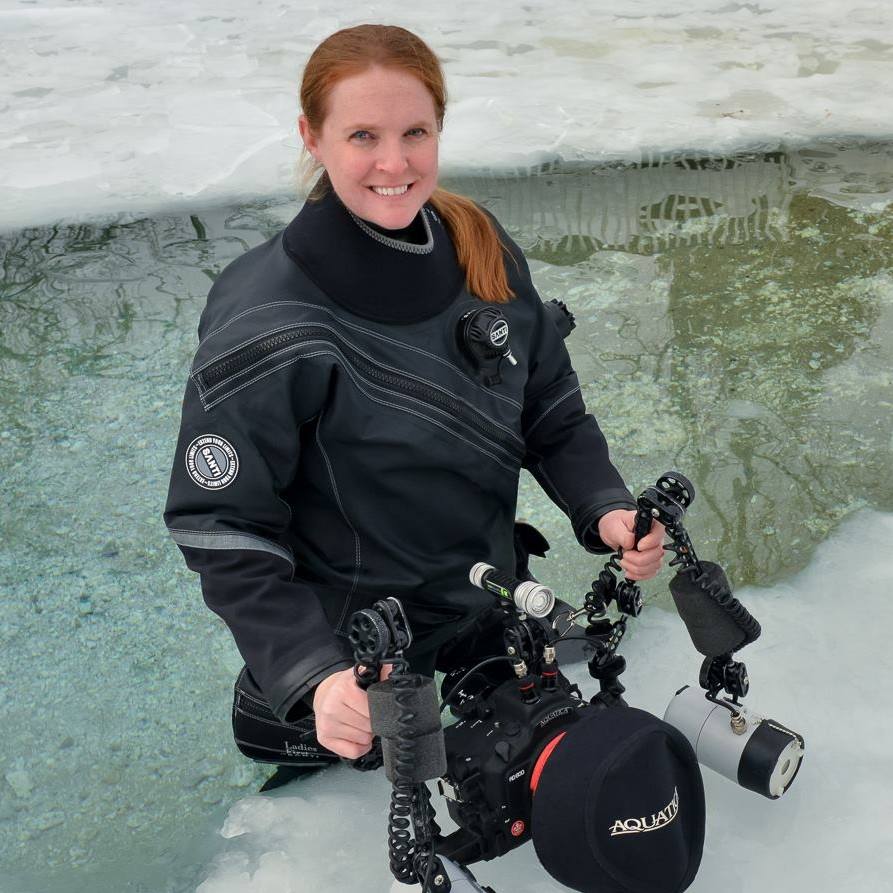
(661, 203)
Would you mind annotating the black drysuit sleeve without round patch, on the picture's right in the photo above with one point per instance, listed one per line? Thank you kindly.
(566, 450)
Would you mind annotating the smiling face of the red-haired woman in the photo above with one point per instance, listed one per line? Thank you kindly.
(380, 133)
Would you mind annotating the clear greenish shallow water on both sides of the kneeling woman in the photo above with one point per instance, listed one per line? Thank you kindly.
(734, 321)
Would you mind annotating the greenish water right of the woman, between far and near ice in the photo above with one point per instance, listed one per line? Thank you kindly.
(728, 340)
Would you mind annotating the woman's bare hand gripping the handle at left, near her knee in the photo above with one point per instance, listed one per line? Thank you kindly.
(342, 715)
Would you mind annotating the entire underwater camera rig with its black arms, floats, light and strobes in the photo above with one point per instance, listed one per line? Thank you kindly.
(611, 795)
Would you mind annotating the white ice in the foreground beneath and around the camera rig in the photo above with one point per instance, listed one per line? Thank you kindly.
(828, 834)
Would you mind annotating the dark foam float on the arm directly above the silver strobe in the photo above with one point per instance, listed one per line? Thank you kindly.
(716, 621)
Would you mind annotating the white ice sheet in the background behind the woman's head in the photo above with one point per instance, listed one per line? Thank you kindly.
(118, 106)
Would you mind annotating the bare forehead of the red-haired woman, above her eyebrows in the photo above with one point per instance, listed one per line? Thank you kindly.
(379, 96)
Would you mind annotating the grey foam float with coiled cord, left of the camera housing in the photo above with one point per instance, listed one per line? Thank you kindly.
(406, 714)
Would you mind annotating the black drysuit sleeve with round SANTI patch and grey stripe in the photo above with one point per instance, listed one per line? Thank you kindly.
(225, 511)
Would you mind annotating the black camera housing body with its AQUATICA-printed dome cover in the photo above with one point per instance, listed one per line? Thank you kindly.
(532, 763)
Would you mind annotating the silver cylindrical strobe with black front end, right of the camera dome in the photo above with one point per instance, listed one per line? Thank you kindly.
(759, 754)
